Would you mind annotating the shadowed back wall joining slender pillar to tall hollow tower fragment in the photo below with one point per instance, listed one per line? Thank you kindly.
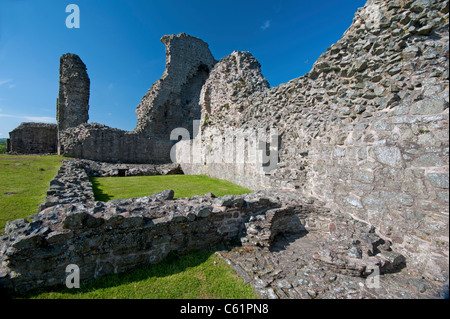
(172, 102)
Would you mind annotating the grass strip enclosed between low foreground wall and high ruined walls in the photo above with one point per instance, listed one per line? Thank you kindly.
(109, 188)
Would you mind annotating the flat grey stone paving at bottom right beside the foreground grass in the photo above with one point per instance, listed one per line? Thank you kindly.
(289, 271)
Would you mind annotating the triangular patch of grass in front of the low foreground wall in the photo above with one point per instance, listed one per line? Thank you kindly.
(198, 275)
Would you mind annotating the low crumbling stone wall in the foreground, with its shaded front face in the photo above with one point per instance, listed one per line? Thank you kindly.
(104, 238)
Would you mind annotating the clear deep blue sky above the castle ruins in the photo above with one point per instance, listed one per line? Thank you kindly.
(119, 41)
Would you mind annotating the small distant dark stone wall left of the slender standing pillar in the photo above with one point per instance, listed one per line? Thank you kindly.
(33, 138)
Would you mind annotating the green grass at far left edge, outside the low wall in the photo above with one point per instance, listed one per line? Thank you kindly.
(24, 181)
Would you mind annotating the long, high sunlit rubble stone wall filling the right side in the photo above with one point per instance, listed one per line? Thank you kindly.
(365, 131)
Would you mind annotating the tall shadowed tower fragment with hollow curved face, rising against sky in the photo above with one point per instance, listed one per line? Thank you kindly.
(173, 101)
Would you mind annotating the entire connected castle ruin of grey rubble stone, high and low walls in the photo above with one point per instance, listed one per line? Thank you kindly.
(360, 189)
